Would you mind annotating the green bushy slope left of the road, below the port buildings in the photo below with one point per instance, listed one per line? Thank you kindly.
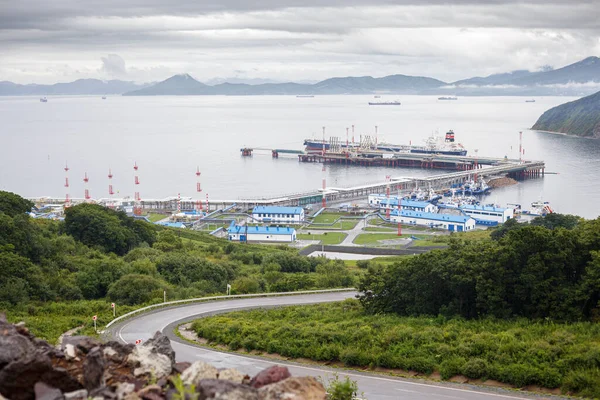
(97, 256)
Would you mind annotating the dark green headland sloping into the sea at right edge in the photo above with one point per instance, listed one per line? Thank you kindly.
(579, 118)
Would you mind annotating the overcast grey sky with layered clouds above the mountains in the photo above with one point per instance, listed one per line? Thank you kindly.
(48, 41)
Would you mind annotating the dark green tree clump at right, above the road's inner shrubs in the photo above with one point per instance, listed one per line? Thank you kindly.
(539, 270)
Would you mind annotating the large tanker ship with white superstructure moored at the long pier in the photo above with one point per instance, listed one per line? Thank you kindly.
(433, 145)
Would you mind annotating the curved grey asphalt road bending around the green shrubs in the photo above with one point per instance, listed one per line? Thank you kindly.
(375, 387)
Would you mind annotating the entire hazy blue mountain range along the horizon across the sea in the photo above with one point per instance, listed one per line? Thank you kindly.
(578, 79)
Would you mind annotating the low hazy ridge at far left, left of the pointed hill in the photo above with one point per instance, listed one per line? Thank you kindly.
(78, 87)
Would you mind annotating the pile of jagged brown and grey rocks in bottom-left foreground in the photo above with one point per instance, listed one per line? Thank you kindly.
(84, 368)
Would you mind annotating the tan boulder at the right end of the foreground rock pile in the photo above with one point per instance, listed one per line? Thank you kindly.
(303, 388)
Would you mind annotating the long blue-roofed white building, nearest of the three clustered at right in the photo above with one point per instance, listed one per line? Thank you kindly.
(458, 223)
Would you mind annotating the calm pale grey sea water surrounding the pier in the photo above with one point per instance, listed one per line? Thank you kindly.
(169, 137)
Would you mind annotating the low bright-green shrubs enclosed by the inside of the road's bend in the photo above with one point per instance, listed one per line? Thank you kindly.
(518, 352)
